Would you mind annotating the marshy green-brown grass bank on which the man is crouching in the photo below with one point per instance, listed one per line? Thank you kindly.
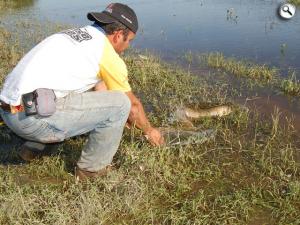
(248, 175)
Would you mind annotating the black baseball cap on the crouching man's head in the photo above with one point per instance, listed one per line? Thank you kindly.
(116, 12)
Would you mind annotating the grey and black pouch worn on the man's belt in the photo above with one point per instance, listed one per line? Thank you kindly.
(41, 102)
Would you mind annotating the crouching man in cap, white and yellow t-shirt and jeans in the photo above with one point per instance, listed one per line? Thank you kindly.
(47, 97)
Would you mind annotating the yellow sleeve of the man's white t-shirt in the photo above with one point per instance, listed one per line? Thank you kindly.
(113, 70)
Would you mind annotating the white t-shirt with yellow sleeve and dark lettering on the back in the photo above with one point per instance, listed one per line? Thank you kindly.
(69, 61)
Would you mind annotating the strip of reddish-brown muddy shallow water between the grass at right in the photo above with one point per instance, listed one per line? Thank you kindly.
(265, 100)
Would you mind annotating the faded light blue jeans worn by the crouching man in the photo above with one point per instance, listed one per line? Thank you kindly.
(103, 114)
